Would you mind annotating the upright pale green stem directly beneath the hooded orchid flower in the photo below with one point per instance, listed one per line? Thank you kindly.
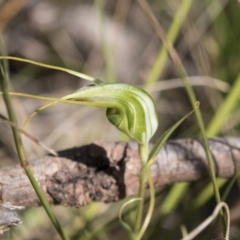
(143, 152)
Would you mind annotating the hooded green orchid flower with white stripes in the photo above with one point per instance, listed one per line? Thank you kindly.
(129, 108)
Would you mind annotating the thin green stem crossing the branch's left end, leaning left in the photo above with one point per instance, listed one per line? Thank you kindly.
(22, 154)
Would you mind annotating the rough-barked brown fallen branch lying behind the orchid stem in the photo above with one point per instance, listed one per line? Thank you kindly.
(109, 171)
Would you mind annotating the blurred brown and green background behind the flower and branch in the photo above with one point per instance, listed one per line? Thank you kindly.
(113, 41)
